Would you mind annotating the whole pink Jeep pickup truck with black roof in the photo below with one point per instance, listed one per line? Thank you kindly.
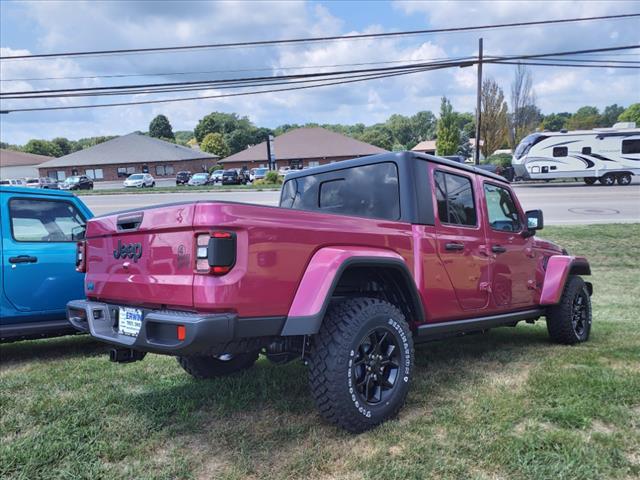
(362, 259)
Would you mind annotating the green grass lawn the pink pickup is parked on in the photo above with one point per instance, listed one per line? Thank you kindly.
(504, 405)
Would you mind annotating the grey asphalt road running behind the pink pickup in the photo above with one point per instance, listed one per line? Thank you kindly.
(562, 203)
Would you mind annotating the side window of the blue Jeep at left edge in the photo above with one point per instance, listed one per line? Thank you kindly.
(34, 220)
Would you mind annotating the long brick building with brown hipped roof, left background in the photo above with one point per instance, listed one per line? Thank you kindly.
(134, 153)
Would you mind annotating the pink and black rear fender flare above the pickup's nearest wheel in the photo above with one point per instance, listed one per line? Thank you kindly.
(323, 282)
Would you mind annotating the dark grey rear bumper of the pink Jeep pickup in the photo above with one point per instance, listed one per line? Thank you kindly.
(158, 332)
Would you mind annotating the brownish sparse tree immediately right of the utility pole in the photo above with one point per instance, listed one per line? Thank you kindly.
(494, 124)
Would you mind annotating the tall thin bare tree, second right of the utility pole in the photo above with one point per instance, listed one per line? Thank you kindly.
(525, 116)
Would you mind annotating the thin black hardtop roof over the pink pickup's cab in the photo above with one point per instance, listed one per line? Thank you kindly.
(392, 157)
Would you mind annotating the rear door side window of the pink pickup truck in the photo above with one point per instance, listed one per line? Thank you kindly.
(454, 195)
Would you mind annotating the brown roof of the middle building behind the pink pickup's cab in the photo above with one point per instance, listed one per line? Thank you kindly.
(302, 143)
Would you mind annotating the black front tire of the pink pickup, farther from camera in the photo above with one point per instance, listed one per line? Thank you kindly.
(559, 317)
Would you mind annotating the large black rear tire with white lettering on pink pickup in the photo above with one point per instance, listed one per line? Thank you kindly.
(333, 373)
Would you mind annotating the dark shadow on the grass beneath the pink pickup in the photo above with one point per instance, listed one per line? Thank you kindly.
(283, 390)
